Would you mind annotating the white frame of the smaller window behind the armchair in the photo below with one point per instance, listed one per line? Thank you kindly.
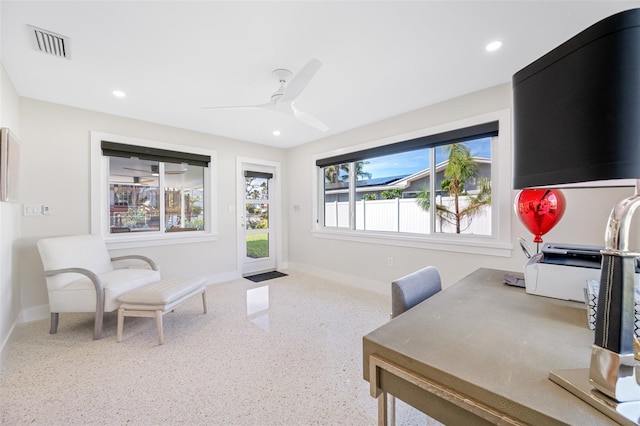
(100, 196)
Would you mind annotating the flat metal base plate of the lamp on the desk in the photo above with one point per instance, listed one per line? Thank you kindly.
(577, 382)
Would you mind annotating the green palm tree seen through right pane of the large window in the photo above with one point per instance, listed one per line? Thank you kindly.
(460, 169)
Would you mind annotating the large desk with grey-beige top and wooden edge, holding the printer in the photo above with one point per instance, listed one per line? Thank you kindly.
(480, 352)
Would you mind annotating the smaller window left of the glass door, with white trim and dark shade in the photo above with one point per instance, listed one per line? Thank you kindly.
(143, 190)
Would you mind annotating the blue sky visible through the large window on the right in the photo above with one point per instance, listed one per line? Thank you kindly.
(407, 163)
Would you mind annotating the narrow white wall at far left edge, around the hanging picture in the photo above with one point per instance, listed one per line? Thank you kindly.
(9, 223)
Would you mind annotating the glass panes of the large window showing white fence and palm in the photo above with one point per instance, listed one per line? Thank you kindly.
(393, 192)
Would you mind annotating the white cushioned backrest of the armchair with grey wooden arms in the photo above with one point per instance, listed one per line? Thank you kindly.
(78, 251)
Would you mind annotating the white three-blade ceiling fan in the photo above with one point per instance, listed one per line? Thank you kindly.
(290, 88)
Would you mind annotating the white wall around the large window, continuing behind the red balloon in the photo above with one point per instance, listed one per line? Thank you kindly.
(365, 265)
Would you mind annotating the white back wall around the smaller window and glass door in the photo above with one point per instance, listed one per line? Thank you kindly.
(55, 171)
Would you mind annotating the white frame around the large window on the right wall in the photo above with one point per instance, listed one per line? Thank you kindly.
(497, 244)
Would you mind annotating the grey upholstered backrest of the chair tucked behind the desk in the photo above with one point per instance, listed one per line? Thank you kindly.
(408, 291)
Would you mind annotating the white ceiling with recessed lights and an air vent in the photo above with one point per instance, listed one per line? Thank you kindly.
(380, 59)
